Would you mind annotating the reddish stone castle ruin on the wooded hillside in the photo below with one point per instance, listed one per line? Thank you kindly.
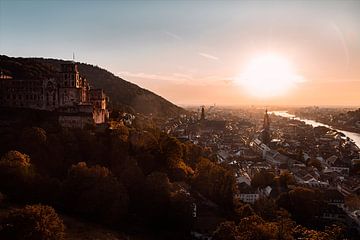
(68, 94)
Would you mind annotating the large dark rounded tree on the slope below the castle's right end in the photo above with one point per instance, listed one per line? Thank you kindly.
(96, 193)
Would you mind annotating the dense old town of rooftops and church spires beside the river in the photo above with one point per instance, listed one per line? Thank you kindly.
(257, 143)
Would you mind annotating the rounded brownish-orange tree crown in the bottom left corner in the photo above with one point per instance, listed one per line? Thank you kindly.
(33, 222)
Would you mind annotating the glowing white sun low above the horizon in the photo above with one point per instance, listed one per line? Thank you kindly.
(268, 76)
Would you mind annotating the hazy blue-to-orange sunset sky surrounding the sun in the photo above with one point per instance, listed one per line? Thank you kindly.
(191, 52)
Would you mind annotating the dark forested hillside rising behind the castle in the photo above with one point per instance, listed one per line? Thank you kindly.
(122, 93)
